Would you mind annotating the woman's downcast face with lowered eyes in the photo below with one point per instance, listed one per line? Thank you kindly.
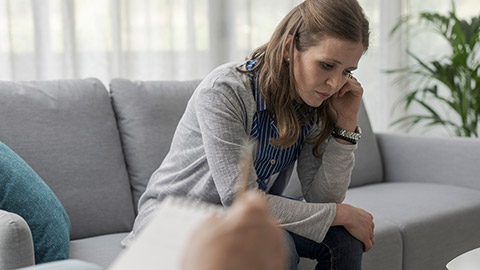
(322, 70)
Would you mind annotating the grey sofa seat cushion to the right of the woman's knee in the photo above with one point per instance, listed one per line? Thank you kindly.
(437, 222)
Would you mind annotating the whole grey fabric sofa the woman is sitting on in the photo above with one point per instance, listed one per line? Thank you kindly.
(96, 149)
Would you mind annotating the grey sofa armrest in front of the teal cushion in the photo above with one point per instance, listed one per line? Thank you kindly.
(16, 243)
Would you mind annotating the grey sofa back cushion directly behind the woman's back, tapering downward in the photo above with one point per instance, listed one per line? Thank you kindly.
(147, 115)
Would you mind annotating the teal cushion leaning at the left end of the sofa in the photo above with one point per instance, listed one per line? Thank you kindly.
(23, 192)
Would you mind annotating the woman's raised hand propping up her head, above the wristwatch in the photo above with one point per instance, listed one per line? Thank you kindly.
(346, 103)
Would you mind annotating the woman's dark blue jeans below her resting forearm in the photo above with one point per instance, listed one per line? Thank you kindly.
(339, 250)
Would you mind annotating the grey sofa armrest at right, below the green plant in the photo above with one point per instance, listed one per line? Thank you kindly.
(453, 161)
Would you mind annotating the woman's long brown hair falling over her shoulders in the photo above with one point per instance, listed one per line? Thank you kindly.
(307, 23)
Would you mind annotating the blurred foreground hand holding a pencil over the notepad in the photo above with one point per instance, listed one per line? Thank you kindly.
(247, 237)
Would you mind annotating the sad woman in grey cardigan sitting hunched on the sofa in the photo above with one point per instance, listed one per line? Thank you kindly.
(297, 98)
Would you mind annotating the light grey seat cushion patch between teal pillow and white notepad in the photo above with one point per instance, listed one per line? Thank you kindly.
(100, 250)
